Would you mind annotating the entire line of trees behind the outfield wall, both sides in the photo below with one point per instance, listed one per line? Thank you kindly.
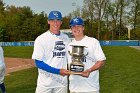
(104, 20)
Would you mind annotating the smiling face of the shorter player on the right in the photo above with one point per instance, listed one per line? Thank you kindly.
(77, 30)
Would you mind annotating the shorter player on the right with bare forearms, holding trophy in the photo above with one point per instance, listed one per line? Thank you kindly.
(88, 81)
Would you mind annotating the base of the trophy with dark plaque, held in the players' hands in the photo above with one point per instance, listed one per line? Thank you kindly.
(76, 68)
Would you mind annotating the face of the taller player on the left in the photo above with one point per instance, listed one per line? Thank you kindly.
(55, 25)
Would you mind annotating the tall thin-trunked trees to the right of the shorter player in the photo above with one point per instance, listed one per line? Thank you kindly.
(110, 19)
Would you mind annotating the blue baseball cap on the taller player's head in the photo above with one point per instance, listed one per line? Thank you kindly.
(55, 15)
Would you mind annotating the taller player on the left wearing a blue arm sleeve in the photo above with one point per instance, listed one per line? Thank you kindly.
(50, 57)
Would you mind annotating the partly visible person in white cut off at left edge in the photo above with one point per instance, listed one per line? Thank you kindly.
(2, 71)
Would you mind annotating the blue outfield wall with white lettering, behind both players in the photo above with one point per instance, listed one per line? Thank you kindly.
(103, 43)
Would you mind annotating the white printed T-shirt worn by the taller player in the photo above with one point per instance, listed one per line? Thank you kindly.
(51, 49)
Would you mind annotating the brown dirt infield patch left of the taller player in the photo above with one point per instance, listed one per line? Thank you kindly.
(16, 64)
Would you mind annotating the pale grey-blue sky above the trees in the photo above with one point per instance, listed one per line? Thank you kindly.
(37, 6)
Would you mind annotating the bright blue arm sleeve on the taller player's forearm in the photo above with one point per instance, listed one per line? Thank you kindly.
(46, 67)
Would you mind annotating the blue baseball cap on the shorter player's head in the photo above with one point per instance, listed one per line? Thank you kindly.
(76, 21)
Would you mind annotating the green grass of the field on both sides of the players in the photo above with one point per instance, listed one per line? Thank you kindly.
(121, 73)
